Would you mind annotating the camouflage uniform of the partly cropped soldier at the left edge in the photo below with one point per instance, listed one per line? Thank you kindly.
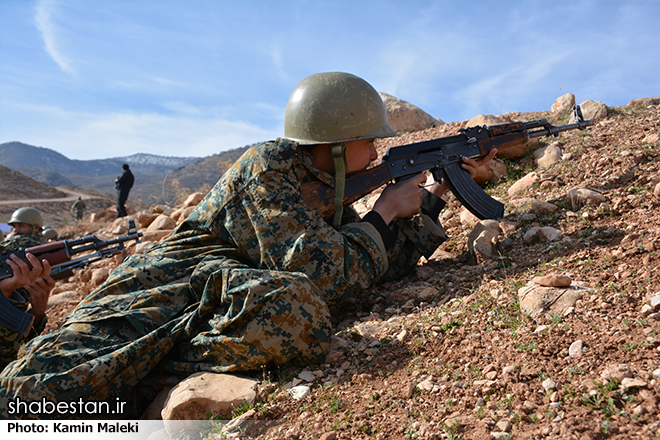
(10, 341)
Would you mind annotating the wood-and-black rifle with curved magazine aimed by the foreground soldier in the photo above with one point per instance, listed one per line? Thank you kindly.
(442, 157)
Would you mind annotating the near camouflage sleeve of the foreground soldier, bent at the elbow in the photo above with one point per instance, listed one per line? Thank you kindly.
(291, 237)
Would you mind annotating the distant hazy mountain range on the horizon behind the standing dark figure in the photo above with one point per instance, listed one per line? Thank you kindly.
(158, 179)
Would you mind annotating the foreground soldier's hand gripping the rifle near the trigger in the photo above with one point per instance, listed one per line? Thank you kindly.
(401, 200)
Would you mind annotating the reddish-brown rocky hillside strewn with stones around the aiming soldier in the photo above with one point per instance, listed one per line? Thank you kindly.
(542, 325)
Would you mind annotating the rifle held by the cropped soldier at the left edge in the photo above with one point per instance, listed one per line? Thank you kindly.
(59, 254)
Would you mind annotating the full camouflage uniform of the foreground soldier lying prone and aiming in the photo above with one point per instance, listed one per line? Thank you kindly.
(245, 281)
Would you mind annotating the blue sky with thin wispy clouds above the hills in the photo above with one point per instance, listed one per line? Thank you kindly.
(107, 78)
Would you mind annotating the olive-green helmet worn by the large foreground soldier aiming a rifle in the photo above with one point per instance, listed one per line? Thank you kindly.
(334, 107)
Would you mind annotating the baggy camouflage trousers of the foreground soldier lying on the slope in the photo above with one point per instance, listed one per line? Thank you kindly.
(244, 319)
